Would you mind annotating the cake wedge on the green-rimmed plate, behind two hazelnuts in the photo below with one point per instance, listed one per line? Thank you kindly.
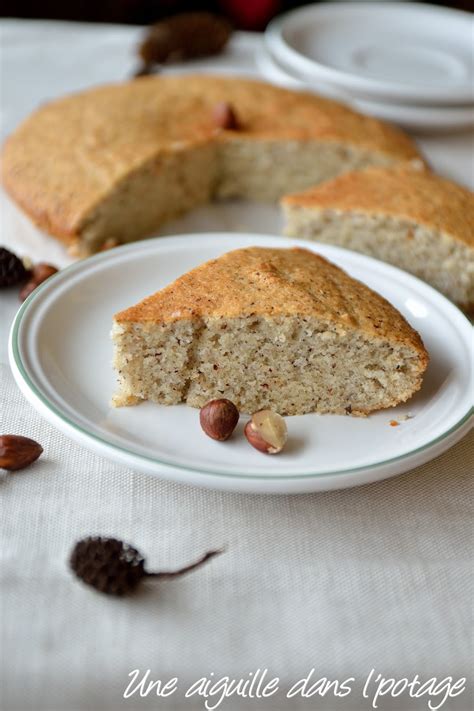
(268, 328)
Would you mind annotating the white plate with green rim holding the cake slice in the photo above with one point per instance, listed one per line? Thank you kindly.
(60, 353)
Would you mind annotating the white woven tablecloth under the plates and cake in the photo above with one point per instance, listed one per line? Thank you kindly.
(375, 577)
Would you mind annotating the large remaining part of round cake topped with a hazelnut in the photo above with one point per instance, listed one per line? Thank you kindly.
(113, 163)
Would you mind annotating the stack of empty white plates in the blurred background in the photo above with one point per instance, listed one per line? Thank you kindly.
(400, 61)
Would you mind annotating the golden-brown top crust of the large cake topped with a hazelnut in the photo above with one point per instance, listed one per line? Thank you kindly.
(67, 156)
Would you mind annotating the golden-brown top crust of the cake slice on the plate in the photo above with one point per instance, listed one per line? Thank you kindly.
(275, 282)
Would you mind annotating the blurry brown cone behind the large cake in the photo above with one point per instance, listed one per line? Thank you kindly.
(185, 36)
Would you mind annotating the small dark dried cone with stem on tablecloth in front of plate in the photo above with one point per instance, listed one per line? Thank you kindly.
(114, 567)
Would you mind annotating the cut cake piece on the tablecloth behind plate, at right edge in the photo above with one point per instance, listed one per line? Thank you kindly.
(411, 218)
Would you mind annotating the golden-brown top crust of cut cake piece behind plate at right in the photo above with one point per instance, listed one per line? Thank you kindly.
(418, 195)
